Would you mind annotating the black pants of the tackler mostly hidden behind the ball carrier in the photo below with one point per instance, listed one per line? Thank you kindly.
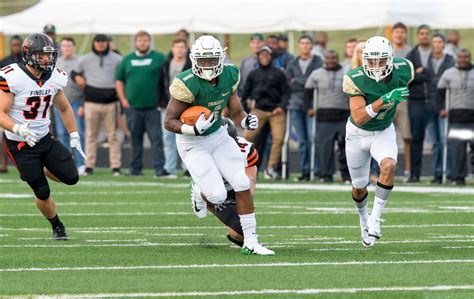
(227, 213)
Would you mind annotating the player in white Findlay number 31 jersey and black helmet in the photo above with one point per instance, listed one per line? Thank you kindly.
(28, 90)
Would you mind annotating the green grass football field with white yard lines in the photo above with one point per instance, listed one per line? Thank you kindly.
(135, 237)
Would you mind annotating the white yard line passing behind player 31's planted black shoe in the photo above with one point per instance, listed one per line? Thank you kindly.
(134, 228)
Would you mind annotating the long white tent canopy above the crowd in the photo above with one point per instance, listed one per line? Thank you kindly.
(234, 16)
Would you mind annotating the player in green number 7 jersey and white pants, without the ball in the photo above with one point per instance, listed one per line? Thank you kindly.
(375, 90)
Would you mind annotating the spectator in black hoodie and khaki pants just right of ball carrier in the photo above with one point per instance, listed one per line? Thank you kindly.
(267, 87)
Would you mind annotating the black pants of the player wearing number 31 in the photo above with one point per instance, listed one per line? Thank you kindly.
(49, 153)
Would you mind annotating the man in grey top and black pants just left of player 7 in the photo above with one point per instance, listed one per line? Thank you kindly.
(331, 114)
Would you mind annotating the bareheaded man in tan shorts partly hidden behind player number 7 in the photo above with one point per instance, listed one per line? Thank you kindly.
(402, 120)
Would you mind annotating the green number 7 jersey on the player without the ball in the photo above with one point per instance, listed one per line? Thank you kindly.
(356, 83)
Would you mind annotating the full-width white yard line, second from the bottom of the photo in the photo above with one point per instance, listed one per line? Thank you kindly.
(250, 265)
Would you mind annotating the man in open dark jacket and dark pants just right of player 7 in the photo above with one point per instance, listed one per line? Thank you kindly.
(419, 101)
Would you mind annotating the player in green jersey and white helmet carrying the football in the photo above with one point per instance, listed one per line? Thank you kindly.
(208, 152)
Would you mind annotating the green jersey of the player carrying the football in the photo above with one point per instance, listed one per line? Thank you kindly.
(189, 88)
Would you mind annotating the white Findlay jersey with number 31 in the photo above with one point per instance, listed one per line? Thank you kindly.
(32, 97)
